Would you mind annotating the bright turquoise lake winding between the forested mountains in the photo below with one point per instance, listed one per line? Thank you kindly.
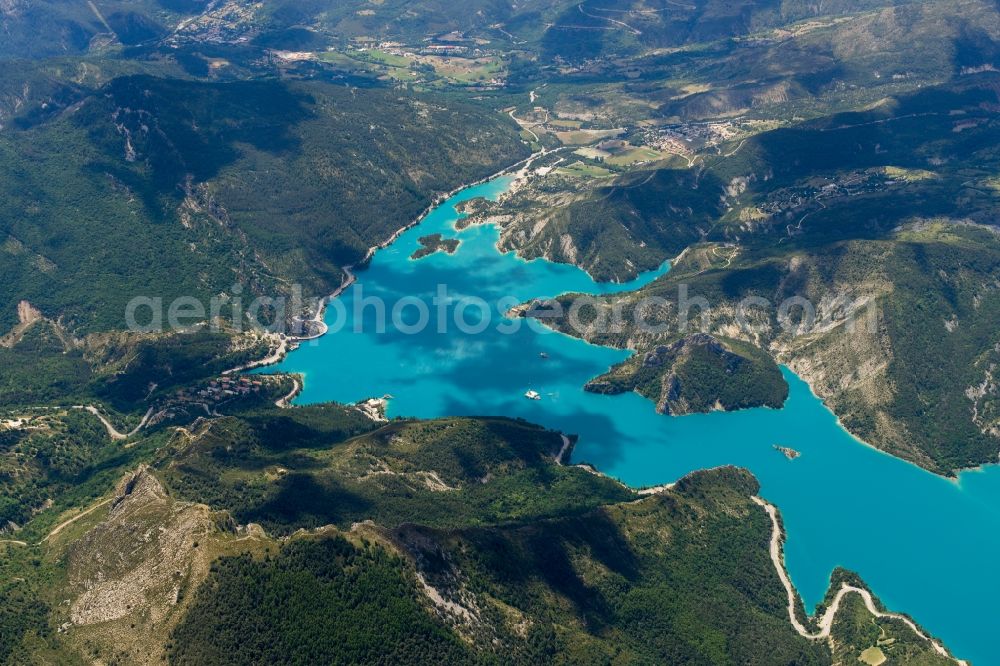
(926, 545)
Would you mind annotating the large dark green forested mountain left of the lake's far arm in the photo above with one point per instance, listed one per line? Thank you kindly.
(163, 187)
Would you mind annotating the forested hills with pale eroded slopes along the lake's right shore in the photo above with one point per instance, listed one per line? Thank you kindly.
(892, 208)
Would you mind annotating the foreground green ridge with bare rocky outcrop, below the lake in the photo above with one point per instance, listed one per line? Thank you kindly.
(516, 571)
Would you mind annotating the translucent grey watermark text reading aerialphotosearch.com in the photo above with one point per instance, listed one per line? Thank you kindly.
(443, 312)
